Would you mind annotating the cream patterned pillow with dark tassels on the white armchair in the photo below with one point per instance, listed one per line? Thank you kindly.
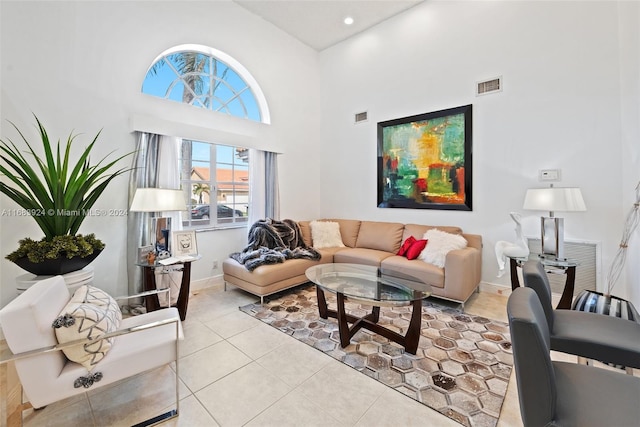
(90, 313)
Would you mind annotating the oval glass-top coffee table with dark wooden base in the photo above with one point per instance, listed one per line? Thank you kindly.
(372, 286)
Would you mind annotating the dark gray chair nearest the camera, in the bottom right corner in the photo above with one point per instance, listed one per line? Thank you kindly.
(559, 393)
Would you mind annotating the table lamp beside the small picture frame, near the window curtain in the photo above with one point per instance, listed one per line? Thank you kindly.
(158, 200)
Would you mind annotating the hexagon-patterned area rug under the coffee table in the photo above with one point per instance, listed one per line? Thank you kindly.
(461, 368)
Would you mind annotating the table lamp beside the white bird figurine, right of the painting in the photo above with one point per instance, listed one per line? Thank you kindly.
(553, 199)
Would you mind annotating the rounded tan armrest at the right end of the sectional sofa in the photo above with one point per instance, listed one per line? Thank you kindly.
(463, 269)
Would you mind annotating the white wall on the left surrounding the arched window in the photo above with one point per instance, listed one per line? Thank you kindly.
(80, 66)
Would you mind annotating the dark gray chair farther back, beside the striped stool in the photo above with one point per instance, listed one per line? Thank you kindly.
(590, 335)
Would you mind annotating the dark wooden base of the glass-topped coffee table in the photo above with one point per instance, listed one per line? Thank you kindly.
(370, 322)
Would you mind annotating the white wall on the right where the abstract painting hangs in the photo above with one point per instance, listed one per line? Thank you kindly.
(560, 109)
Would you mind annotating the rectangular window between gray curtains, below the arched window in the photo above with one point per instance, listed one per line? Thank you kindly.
(217, 177)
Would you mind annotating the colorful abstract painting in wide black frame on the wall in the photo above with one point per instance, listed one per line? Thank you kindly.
(424, 161)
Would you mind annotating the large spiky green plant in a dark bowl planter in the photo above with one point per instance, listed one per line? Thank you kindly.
(58, 195)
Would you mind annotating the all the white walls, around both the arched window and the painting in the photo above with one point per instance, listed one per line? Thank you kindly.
(570, 101)
